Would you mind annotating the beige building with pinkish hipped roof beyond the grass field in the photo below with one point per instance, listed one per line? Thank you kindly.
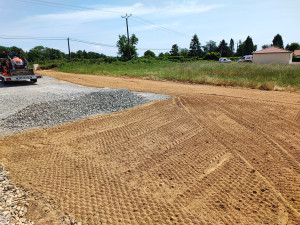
(273, 55)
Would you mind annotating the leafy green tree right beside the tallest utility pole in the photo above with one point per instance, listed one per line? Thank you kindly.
(127, 53)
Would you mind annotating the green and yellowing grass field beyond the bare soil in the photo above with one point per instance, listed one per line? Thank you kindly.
(252, 75)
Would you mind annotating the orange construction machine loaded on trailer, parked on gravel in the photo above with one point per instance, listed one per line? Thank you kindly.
(14, 67)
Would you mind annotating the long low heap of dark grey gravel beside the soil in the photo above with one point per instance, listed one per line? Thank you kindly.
(61, 111)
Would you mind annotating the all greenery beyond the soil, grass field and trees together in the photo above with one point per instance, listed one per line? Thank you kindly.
(198, 64)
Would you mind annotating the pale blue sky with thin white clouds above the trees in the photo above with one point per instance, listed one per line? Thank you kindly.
(158, 24)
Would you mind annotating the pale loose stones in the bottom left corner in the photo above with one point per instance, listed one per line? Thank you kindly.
(13, 201)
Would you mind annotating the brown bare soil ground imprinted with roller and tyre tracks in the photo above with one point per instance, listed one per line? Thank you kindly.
(208, 155)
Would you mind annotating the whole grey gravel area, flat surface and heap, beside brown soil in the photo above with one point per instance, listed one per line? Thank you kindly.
(51, 102)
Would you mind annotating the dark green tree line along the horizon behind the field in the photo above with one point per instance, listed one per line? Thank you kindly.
(209, 51)
